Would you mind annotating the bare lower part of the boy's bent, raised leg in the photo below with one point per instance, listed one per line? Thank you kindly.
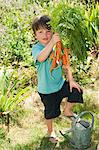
(68, 109)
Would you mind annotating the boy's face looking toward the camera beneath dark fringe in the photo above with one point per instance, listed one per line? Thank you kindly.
(43, 35)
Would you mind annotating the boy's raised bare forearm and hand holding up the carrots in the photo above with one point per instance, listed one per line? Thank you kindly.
(48, 48)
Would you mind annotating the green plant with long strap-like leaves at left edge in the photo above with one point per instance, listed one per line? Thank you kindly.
(9, 98)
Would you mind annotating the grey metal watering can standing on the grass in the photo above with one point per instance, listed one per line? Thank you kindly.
(81, 132)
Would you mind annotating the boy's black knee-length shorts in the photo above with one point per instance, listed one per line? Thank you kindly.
(52, 101)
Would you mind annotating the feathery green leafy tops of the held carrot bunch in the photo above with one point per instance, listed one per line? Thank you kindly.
(69, 21)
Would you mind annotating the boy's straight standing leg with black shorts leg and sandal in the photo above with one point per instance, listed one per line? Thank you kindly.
(52, 110)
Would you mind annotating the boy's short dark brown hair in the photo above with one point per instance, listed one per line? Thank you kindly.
(41, 22)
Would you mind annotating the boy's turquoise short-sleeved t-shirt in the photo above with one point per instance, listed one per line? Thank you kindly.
(47, 82)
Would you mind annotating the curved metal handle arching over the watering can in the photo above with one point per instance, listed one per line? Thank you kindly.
(82, 114)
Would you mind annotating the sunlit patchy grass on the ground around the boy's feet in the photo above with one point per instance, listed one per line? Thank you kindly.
(30, 131)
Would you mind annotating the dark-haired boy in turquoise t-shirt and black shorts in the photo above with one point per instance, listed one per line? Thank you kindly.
(52, 90)
